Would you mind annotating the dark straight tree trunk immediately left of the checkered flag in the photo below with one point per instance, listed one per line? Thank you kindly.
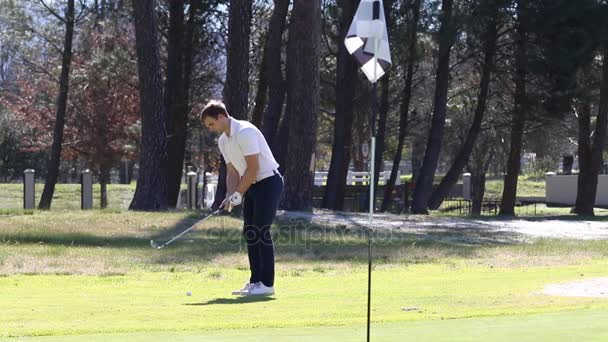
(346, 82)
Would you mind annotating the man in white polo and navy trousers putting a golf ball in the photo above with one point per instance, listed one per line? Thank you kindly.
(252, 178)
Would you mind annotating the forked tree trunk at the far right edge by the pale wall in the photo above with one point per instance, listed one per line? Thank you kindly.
(592, 155)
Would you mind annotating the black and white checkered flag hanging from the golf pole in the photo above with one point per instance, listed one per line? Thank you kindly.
(367, 39)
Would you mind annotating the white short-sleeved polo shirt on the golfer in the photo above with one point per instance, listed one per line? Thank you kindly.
(245, 139)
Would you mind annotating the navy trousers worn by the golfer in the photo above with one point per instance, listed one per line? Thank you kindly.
(260, 204)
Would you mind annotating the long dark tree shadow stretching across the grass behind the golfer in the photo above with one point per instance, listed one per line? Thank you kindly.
(295, 241)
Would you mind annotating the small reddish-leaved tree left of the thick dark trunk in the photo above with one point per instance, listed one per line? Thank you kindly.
(105, 104)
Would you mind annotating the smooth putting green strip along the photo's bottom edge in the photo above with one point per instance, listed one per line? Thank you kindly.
(564, 326)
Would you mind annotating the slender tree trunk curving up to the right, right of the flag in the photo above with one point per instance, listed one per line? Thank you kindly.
(489, 48)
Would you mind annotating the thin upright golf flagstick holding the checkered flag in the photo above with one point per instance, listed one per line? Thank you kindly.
(371, 192)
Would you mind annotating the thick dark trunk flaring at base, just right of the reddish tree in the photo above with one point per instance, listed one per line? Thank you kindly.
(151, 190)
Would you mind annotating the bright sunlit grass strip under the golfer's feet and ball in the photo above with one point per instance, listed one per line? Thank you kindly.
(157, 301)
